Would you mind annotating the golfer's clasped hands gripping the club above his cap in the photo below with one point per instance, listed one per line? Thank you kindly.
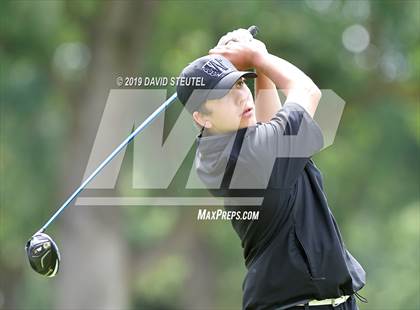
(240, 48)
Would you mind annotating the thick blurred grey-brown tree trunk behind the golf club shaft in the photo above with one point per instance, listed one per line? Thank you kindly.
(94, 253)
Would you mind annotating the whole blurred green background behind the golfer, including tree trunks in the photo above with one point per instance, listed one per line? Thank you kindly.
(60, 58)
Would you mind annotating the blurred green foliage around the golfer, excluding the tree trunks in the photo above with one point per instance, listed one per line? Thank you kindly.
(371, 172)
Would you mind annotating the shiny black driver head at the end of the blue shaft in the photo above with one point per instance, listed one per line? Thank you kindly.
(43, 254)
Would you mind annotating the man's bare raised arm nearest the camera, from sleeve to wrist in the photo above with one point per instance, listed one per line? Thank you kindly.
(295, 84)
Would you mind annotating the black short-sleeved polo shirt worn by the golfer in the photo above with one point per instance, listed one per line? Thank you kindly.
(294, 252)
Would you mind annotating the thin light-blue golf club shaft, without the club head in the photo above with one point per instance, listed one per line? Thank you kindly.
(253, 30)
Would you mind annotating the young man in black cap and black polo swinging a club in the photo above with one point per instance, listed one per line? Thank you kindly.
(293, 252)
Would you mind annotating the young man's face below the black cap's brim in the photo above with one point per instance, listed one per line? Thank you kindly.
(234, 111)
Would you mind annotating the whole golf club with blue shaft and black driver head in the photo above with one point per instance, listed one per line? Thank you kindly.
(42, 251)
